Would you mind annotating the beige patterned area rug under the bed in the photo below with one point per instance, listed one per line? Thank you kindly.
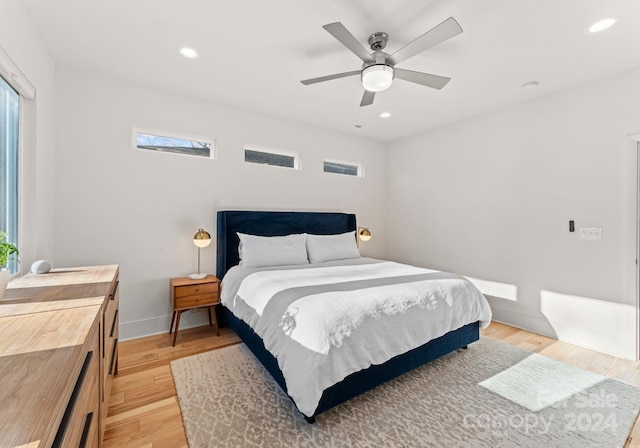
(491, 395)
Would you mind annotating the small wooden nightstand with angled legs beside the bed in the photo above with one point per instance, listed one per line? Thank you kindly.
(187, 294)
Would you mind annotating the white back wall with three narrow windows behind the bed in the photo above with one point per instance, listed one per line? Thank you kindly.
(140, 209)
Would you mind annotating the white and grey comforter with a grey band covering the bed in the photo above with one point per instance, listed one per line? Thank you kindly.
(324, 322)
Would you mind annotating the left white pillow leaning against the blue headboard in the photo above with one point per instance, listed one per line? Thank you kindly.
(258, 251)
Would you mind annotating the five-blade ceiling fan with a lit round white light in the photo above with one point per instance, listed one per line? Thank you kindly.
(379, 68)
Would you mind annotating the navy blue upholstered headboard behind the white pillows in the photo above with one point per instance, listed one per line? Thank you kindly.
(272, 224)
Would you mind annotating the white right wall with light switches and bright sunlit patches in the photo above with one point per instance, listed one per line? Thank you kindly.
(491, 198)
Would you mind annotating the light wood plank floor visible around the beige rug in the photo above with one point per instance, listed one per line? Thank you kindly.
(144, 410)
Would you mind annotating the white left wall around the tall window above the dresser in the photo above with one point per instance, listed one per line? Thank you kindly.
(23, 44)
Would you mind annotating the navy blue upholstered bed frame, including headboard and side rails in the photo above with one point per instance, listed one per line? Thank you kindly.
(283, 223)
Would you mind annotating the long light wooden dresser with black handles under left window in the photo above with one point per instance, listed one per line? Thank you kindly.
(58, 355)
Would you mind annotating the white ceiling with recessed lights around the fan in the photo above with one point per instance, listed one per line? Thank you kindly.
(253, 53)
